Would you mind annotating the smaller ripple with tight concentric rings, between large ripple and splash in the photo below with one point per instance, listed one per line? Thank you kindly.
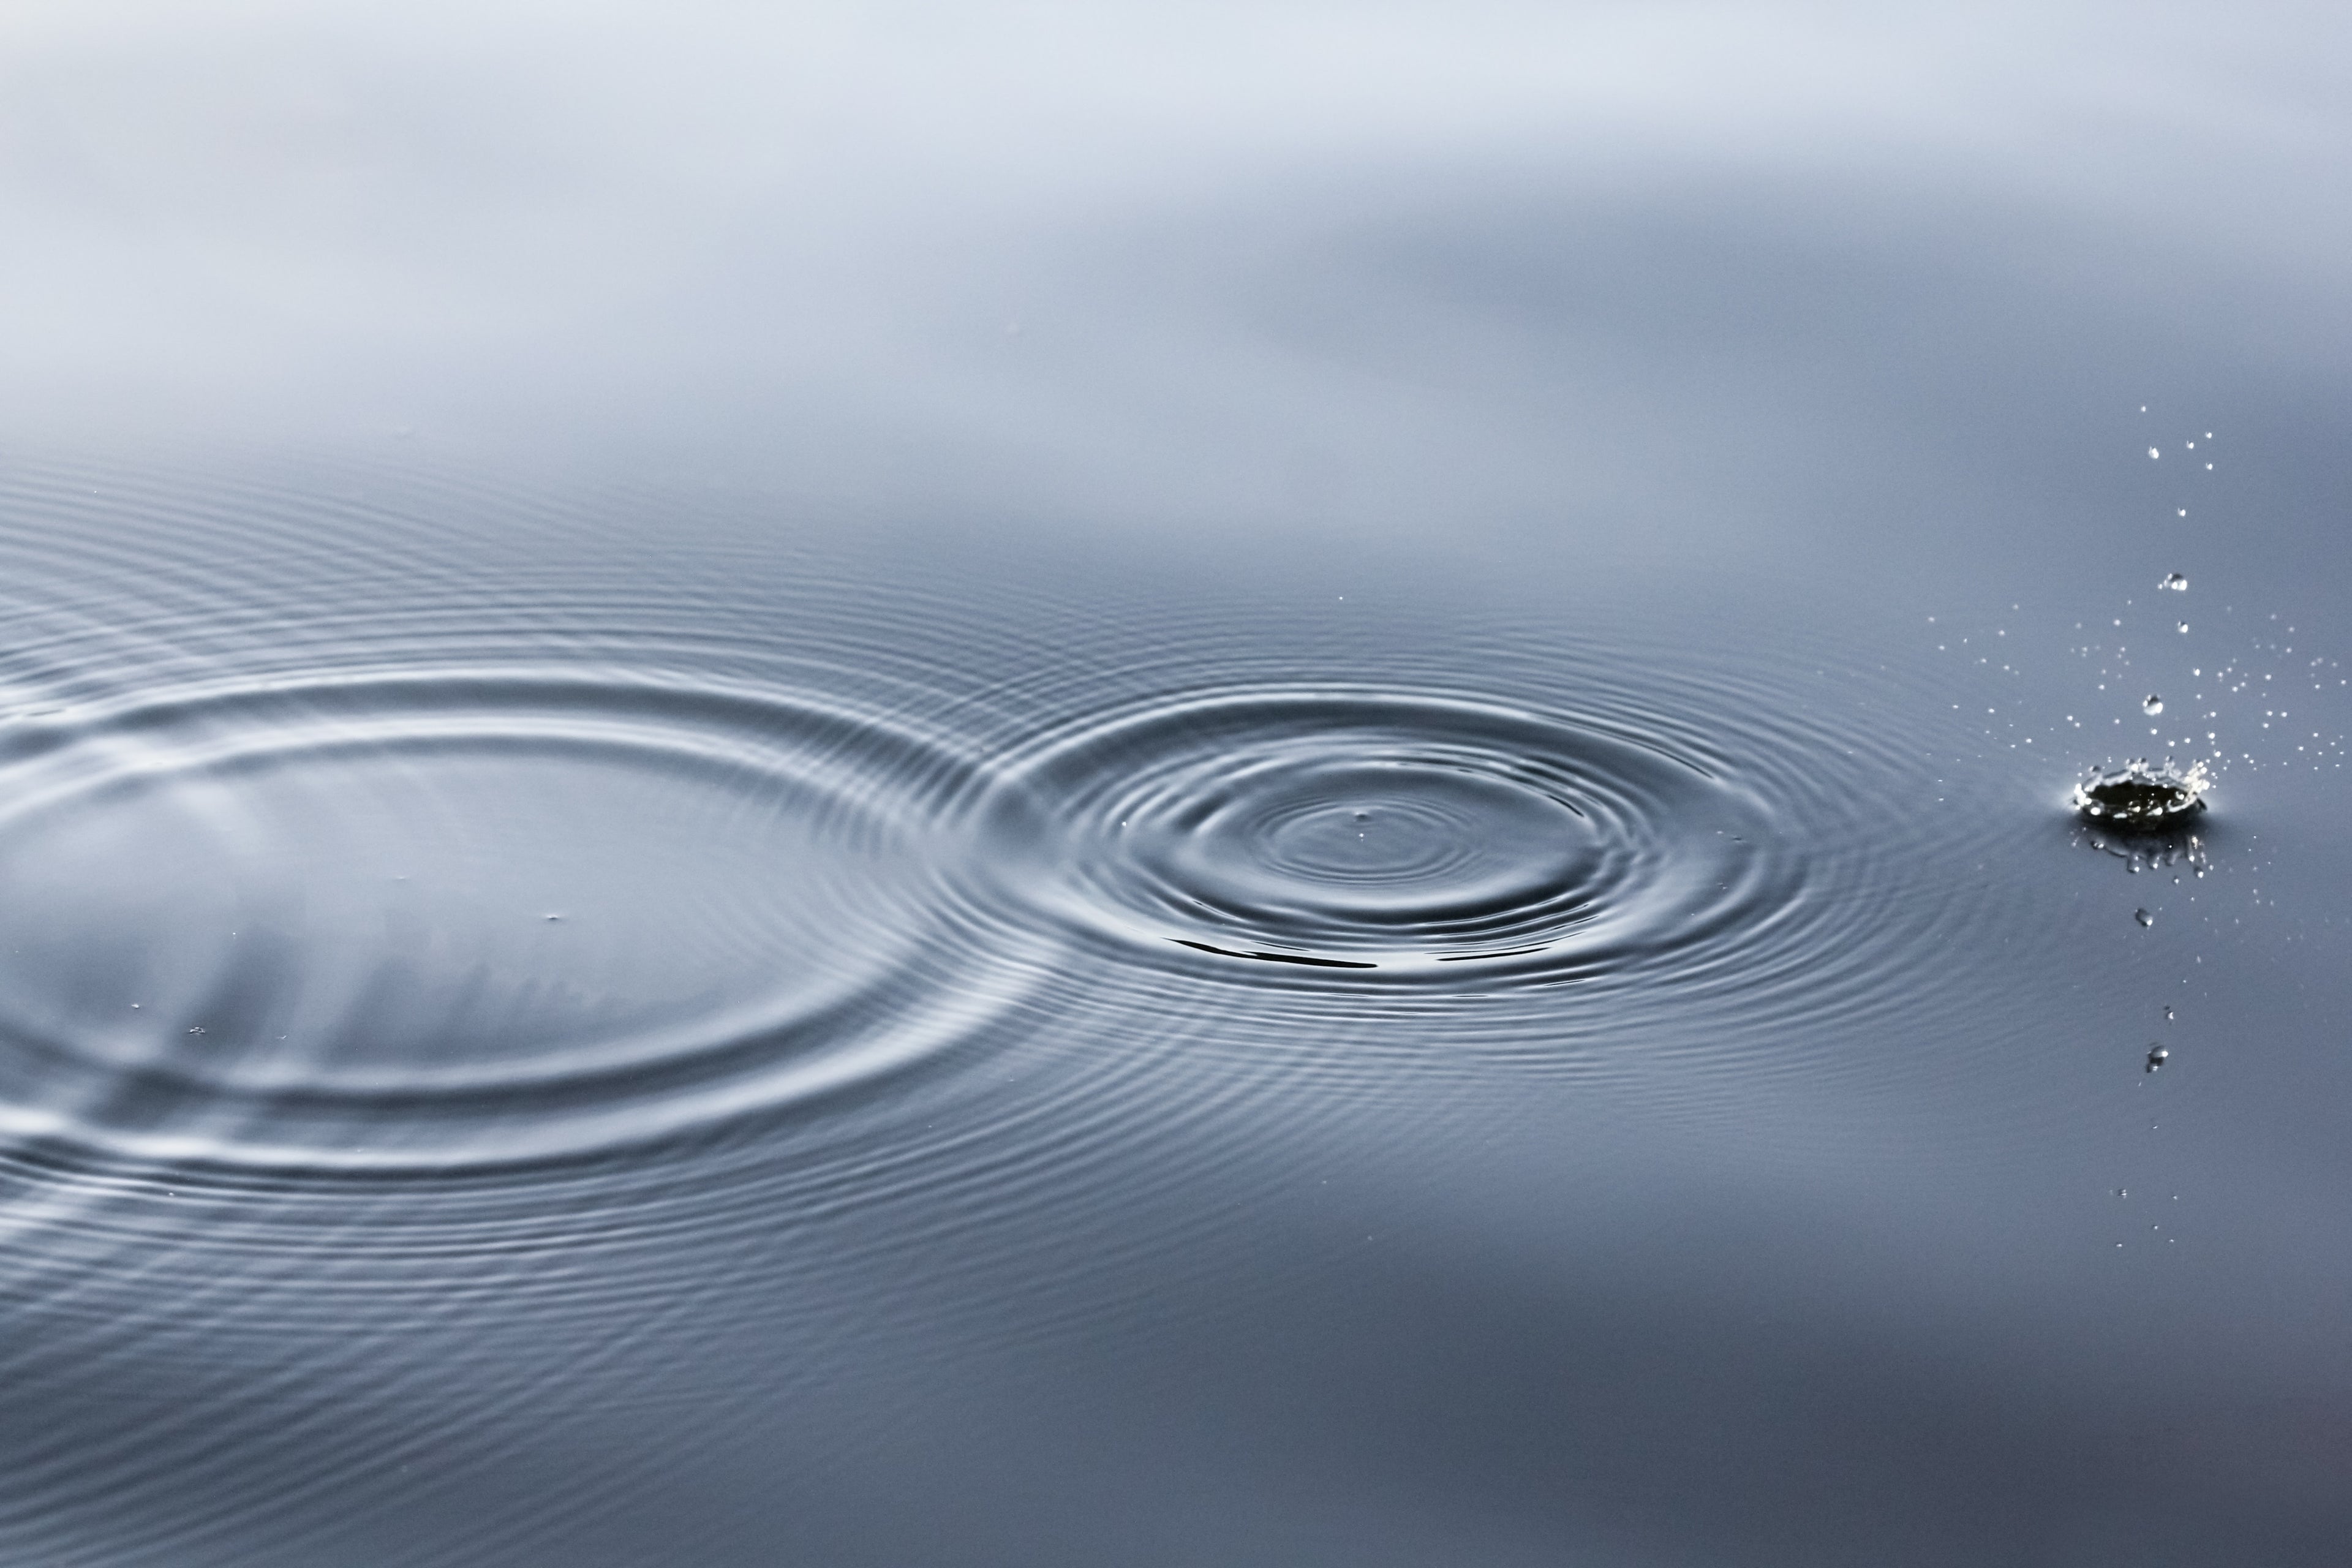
(1387, 838)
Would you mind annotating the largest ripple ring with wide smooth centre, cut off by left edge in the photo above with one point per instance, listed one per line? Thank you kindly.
(425, 923)
